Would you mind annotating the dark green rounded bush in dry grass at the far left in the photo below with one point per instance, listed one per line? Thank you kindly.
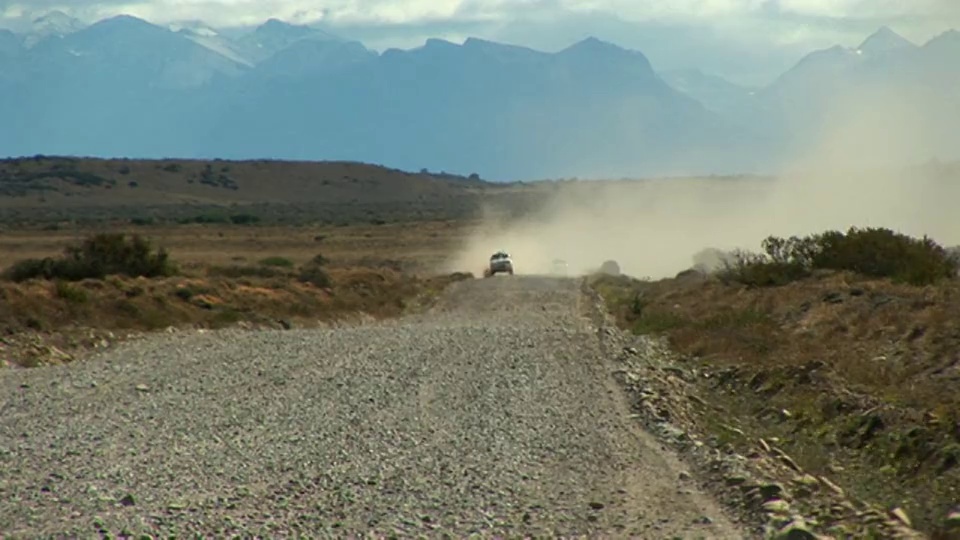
(97, 257)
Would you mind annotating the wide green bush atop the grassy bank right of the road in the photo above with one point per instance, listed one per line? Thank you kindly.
(874, 252)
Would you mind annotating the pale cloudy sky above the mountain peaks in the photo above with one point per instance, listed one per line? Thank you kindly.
(749, 41)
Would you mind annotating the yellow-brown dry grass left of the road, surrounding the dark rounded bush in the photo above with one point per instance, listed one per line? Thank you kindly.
(228, 274)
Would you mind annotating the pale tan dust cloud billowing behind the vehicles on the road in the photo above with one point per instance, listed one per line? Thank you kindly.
(866, 166)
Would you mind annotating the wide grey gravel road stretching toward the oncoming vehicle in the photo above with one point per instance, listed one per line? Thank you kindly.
(495, 413)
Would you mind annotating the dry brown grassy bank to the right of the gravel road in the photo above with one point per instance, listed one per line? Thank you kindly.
(865, 369)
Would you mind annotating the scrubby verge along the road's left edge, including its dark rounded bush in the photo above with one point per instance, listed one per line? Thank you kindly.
(109, 283)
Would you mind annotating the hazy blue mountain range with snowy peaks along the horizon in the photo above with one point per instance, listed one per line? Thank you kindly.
(124, 87)
